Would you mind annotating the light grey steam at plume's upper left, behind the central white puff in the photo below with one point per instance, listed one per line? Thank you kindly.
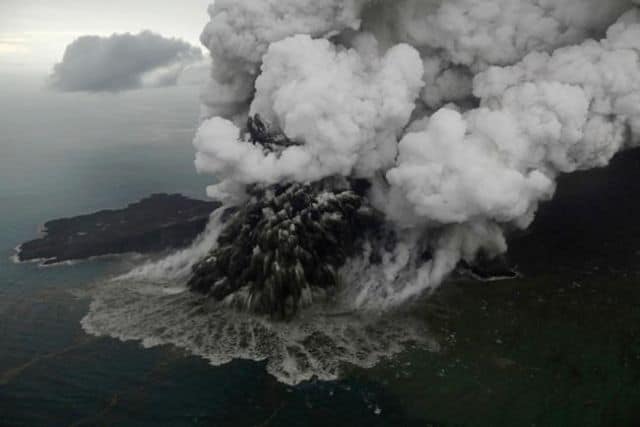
(240, 33)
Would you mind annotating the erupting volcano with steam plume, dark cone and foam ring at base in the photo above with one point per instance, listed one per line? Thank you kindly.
(364, 151)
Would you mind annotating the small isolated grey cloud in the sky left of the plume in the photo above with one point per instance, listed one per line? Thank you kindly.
(122, 62)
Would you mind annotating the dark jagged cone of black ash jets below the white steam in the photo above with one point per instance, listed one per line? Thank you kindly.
(286, 243)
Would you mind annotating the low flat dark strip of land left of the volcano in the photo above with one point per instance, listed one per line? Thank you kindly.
(157, 223)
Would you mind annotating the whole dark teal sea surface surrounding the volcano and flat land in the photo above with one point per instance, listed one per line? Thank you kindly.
(559, 346)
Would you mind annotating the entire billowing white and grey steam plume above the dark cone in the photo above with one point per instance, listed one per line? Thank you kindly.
(534, 88)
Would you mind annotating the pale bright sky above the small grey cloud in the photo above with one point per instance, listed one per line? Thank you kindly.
(34, 33)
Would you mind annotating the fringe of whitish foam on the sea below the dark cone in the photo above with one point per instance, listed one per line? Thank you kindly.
(316, 344)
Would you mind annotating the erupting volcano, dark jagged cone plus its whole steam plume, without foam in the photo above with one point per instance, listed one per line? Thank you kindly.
(398, 138)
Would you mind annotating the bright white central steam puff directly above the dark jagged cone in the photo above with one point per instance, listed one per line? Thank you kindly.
(349, 122)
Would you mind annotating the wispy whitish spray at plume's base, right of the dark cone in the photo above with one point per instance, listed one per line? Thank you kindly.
(416, 265)
